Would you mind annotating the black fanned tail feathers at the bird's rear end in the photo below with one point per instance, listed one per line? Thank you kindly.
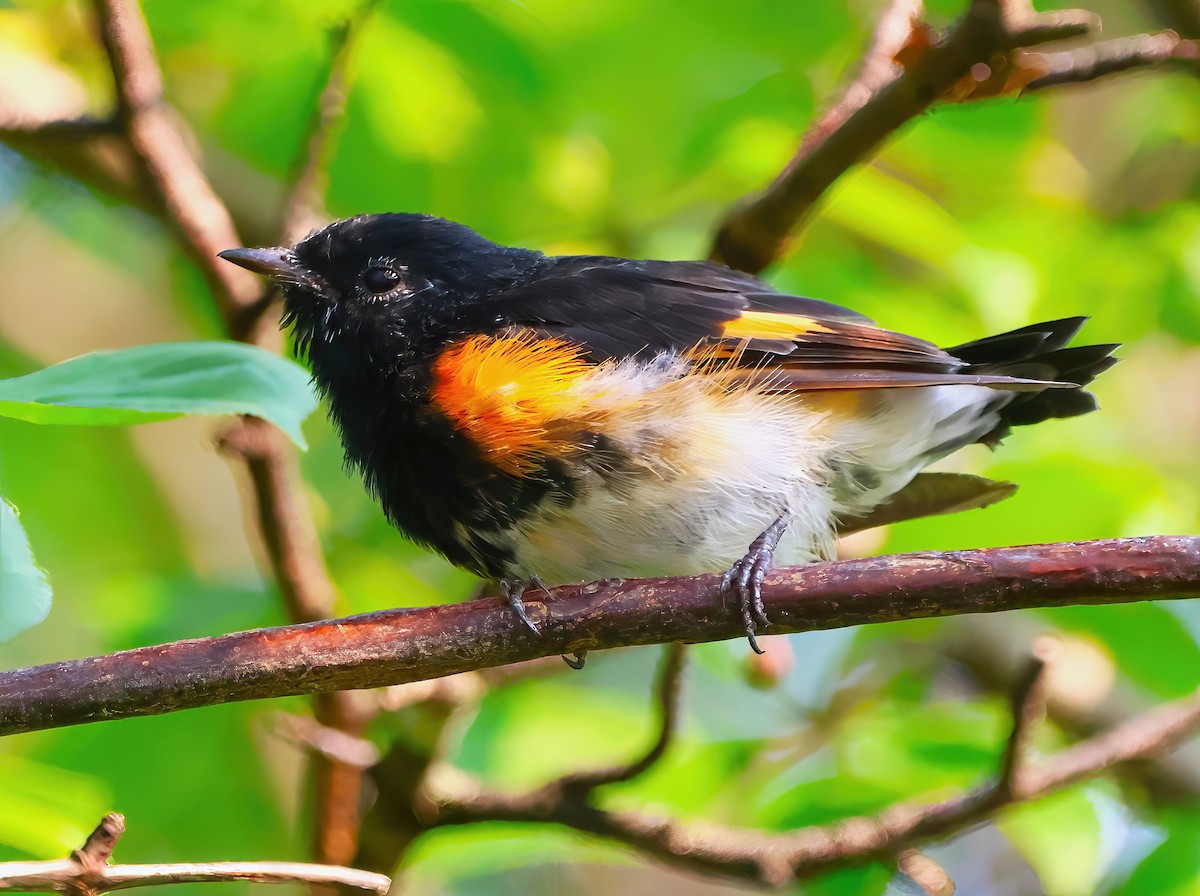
(1040, 352)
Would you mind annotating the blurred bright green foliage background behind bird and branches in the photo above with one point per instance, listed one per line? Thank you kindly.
(626, 128)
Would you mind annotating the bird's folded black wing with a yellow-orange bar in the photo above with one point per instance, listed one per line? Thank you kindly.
(617, 309)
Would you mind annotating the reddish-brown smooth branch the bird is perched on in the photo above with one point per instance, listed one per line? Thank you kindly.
(400, 646)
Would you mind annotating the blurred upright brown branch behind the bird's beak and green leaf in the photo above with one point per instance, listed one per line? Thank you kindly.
(205, 227)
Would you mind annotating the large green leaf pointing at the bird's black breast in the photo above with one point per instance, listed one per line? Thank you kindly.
(148, 383)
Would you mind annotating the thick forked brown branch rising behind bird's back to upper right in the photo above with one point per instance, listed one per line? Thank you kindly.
(985, 45)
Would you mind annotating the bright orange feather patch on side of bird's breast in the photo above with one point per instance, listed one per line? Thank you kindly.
(514, 396)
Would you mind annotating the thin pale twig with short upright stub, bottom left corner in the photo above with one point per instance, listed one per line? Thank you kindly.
(88, 871)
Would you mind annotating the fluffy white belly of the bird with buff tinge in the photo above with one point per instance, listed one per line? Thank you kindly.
(711, 472)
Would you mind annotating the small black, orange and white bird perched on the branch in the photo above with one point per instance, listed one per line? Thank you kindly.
(545, 420)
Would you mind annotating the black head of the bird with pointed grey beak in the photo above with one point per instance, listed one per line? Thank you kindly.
(386, 286)
